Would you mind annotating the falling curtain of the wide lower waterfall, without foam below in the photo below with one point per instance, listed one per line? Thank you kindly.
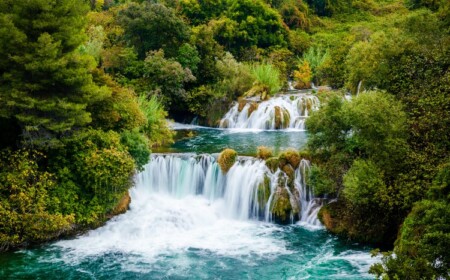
(240, 191)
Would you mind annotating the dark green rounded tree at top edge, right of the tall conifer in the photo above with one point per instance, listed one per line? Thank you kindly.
(150, 27)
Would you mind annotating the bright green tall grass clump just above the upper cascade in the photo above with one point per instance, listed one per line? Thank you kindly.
(267, 75)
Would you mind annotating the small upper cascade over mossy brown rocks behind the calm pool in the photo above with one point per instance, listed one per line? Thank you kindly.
(283, 112)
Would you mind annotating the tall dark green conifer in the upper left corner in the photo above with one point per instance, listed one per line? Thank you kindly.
(45, 83)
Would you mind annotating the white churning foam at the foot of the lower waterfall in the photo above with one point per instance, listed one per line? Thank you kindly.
(158, 224)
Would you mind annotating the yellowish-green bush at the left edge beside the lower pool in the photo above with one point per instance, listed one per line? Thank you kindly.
(24, 200)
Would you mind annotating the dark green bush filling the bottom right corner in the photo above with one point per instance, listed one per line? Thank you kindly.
(421, 250)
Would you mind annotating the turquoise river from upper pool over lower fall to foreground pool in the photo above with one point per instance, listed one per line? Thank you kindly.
(189, 221)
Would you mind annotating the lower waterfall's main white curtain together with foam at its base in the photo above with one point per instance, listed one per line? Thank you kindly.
(183, 202)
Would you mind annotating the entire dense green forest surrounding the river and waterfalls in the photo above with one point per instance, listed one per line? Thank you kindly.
(86, 87)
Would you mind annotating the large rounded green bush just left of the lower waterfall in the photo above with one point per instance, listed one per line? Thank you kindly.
(93, 172)
